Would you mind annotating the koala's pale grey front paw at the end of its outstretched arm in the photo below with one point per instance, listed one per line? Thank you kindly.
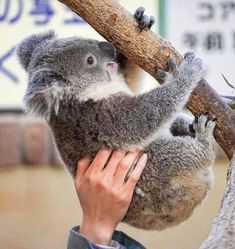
(191, 69)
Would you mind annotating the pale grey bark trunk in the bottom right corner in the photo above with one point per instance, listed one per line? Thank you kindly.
(222, 234)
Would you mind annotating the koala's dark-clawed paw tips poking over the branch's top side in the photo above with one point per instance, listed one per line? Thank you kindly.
(144, 21)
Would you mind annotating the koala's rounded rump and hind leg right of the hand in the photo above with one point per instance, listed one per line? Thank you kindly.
(176, 178)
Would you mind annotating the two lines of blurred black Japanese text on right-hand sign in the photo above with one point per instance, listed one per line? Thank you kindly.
(216, 39)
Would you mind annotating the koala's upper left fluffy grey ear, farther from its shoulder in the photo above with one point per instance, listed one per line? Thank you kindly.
(26, 47)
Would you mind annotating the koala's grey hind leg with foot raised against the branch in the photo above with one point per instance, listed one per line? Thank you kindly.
(185, 153)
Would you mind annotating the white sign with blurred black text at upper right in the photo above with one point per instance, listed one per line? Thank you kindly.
(208, 28)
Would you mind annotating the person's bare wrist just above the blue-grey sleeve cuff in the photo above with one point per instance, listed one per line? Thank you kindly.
(98, 233)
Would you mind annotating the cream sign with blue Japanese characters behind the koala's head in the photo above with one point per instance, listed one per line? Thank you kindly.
(19, 18)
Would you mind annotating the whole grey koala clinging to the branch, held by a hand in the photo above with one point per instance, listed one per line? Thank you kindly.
(84, 89)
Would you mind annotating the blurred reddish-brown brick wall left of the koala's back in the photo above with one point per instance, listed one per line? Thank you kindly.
(27, 141)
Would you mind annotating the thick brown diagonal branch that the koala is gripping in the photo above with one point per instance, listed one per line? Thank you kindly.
(149, 50)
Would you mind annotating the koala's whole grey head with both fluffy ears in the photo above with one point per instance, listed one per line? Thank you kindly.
(59, 68)
